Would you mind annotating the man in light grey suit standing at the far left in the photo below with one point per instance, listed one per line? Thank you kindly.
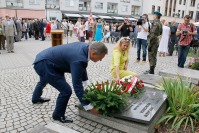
(9, 31)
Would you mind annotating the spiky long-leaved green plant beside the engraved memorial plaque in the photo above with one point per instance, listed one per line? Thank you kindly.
(183, 104)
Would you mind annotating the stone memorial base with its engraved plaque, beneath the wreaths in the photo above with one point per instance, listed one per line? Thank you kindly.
(148, 109)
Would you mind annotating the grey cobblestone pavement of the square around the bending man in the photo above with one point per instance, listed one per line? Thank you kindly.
(18, 79)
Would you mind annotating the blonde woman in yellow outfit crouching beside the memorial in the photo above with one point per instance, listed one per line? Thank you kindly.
(119, 62)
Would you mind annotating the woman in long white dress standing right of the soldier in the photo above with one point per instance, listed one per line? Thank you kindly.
(163, 46)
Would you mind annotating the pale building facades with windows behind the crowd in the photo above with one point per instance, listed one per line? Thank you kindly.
(57, 9)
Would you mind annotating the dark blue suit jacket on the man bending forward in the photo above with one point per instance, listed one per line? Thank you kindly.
(68, 58)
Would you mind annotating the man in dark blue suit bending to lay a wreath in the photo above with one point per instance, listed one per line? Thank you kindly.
(52, 63)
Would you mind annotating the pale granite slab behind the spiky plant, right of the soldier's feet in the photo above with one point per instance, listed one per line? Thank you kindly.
(185, 73)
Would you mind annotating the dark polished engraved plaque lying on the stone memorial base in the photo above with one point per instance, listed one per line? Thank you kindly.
(144, 108)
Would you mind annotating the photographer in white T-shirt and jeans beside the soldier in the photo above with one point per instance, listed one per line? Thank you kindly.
(143, 30)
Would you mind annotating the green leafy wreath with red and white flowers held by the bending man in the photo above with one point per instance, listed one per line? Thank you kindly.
(106, 97)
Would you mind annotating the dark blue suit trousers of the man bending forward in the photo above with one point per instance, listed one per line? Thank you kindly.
(45, 69)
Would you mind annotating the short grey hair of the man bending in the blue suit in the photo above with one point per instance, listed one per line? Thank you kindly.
(99, 48)
